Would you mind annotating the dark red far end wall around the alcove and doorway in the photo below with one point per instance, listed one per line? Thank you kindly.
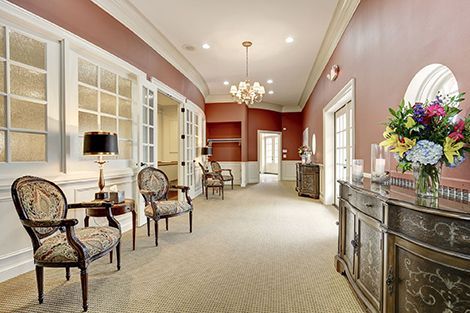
(251, 121)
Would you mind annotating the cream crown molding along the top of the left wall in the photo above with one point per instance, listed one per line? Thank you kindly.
(127, 14)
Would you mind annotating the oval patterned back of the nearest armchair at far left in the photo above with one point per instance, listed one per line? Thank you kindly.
(38, 199)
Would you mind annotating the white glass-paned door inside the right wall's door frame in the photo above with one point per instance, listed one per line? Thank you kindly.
(343, 146)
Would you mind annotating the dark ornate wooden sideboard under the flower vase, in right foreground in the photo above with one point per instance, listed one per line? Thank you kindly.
(401, 255)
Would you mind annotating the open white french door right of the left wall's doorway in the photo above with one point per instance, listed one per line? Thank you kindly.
(192, 122)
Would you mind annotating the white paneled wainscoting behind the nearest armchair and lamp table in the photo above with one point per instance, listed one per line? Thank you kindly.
(16, 255)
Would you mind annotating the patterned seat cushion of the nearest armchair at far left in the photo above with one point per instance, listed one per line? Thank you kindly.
(56, 249)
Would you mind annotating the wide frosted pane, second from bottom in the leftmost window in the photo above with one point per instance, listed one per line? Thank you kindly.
(28, 115)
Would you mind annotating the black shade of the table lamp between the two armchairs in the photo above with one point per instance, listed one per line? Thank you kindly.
(100, 143)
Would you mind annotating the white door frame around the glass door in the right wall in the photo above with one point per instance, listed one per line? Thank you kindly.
(348, 93)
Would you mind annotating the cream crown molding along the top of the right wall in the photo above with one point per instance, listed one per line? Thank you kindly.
(341, 17)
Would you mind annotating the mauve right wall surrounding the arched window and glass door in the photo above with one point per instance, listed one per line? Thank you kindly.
(384, 46)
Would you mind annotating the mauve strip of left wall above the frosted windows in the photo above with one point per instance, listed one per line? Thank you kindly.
(90, 22)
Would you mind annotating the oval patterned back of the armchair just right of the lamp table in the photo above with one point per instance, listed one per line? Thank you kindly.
(155, 180)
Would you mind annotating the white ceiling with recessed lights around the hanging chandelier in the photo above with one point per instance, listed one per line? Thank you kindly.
(225, 24)
